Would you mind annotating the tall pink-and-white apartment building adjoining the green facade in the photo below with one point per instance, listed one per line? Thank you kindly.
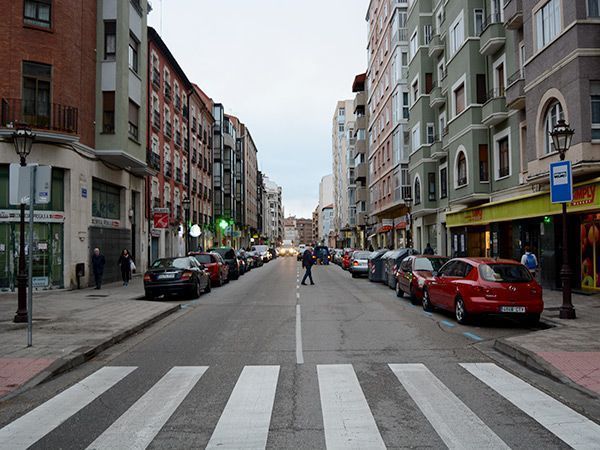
(387, 110)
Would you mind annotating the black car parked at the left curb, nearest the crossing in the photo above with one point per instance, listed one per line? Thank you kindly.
(181, 276)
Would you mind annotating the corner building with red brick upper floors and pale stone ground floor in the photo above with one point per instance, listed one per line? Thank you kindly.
(81, 89)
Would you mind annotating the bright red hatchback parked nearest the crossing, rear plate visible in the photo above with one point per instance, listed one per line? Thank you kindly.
(472, 286)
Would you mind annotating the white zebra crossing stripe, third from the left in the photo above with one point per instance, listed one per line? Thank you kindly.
(245, 421)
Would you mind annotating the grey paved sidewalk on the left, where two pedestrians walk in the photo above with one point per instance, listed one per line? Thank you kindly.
(69, 327)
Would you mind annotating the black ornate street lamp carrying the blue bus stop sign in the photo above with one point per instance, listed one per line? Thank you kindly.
(561, 138)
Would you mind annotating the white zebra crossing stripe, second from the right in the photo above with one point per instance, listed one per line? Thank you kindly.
(454, 422)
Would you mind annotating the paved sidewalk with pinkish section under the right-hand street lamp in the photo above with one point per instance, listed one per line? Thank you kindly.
(570, 350)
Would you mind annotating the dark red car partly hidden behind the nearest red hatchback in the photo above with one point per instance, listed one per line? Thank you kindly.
(413, 272)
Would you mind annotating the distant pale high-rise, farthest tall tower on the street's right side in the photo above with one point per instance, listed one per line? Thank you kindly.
(344, 187)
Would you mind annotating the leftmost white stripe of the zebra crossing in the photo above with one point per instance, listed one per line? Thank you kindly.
(30, 428)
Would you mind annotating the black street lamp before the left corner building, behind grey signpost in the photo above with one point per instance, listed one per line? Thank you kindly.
(23, 139)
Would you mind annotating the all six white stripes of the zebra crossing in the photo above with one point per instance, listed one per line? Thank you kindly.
(348, 420)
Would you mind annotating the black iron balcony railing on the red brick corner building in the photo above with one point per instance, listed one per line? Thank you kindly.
(55, 117)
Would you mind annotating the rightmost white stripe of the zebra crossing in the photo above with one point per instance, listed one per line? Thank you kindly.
(568, 425)
